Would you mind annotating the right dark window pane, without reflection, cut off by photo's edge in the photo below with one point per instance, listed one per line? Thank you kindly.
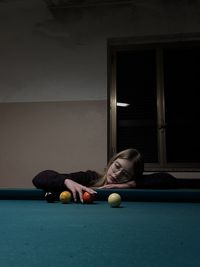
(182, 85)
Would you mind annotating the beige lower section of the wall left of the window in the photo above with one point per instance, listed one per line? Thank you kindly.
(64, 136)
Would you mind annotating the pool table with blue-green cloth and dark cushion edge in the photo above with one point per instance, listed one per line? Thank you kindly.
(151, 228)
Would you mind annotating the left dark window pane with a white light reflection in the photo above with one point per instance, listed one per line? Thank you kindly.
(136, 85)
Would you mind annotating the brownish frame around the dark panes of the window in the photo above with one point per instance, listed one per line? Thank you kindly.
(115, 45)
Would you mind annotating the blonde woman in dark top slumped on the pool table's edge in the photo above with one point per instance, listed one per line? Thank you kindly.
(124, 170)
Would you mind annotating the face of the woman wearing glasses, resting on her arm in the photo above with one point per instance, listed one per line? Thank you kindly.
(120, 171)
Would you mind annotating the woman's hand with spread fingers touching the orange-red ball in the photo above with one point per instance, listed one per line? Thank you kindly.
(76, 188)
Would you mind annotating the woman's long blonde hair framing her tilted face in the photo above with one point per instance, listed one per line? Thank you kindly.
(130, 154)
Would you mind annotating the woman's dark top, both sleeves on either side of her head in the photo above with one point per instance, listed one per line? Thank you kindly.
(53, 181)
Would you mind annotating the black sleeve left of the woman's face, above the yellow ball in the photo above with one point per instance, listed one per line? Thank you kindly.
(53, 181)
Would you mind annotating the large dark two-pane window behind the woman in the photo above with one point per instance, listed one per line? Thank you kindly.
(154, 105)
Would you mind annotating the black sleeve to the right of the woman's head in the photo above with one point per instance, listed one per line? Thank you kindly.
(157, 181)
